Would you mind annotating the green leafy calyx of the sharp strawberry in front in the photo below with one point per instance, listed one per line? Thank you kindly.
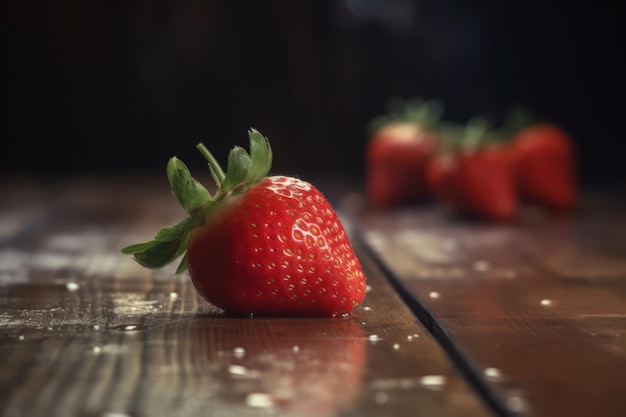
(243, 171)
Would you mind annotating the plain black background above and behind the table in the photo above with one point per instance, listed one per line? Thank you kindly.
(116, 87)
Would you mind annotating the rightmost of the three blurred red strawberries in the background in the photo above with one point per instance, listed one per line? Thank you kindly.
(544, 160)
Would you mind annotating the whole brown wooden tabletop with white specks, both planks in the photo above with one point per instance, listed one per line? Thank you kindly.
(460, 319)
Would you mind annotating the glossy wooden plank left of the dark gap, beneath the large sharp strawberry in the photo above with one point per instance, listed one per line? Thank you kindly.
(85, 331)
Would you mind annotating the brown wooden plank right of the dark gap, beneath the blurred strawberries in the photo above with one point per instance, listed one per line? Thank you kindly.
(535, 310)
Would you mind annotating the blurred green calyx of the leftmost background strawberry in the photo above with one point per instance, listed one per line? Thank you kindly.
(420, 113)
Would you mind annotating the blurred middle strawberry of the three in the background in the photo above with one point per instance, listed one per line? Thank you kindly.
(475, 175)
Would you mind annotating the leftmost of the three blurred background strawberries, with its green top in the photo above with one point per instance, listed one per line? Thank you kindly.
(400, 146)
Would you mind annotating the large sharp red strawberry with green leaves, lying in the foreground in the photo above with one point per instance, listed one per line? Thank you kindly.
(260, 245)
